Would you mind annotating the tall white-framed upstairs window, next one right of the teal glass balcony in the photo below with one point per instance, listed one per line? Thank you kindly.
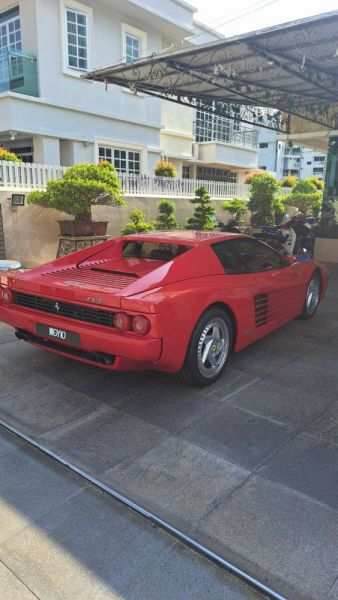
(77, 39)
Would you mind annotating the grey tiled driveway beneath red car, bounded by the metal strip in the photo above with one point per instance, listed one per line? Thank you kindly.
(247, 467)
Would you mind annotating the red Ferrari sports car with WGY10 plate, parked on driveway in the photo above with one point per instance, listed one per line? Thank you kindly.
(177, 301)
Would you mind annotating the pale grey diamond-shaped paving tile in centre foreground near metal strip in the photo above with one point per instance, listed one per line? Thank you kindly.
(177, 481)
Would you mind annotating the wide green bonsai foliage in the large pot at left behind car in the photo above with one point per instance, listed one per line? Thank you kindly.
(82, 187)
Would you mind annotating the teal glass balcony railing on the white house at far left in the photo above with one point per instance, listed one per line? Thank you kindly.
(18, 72)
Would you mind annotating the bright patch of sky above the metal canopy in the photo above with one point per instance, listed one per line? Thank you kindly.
(232, 18)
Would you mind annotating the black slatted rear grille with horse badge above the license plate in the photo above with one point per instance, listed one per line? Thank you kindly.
(65, 309)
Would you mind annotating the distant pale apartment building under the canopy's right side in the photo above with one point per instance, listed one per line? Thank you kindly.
(284, 158)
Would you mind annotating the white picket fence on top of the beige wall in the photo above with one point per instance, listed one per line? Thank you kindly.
(26, 177)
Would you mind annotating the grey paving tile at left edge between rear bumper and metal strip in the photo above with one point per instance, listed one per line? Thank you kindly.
(30, 402)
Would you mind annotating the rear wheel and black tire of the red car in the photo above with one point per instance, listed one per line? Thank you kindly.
(215, 347)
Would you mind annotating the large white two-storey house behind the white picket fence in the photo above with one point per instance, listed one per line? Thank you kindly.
(52, 116)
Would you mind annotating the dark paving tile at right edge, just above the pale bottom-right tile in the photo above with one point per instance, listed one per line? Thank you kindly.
(308, 465)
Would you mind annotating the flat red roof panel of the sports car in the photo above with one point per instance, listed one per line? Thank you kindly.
(185, 237)
